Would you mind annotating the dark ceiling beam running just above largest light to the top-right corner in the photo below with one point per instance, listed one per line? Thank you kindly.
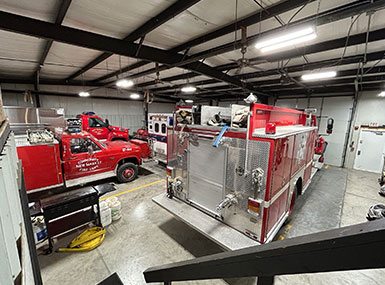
(335, 14)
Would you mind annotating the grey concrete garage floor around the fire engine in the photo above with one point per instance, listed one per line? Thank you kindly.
(147, 235)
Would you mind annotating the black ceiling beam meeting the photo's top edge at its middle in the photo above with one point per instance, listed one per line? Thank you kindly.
(172, 11)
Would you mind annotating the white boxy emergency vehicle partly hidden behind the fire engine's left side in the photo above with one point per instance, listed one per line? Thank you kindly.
(157, 134)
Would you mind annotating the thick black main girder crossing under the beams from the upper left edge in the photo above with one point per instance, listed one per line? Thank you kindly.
(37, 28)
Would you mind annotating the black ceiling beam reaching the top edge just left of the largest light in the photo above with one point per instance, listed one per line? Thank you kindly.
(255, 18)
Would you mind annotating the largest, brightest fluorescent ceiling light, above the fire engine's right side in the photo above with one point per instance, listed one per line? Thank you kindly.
(288, 39)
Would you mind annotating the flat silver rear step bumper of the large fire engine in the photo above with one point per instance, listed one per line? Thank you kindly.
(220, 233)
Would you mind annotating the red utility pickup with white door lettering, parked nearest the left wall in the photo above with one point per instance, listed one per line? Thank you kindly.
(74, 159)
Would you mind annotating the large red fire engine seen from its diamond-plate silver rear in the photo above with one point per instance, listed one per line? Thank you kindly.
(247, 178)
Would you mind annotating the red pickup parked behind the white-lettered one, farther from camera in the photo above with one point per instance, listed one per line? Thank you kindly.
(100, 129)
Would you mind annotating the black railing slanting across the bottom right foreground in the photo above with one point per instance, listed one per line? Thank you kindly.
(355, 247)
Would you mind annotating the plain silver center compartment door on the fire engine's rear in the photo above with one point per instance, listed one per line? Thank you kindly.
(207, 168)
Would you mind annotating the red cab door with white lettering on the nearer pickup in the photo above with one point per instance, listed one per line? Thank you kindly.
(79, 161)
